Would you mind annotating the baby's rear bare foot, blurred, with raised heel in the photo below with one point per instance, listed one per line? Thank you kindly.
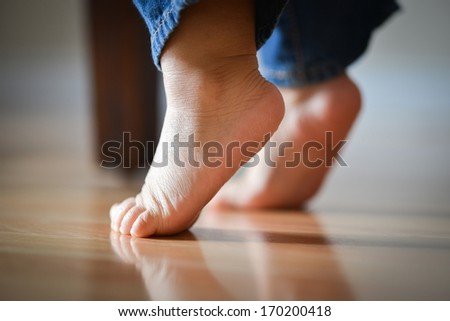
(310, 113)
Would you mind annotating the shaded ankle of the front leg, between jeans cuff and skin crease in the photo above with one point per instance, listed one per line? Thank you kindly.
(211, 31)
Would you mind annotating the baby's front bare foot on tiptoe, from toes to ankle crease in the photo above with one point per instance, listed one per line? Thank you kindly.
(231, 113)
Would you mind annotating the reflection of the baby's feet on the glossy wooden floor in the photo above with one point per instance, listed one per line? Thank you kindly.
(232, 256)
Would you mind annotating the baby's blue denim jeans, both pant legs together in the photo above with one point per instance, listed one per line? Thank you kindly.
(300, 42)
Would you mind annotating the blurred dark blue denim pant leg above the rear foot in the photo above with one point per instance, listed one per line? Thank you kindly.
(316, 40)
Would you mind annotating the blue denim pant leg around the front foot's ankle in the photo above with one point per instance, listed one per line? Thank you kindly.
(163, 16)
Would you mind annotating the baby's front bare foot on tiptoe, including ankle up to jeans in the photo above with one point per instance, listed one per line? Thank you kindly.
(215, 95)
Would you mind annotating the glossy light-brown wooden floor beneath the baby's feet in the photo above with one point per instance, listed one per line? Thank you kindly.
(55, 242)
